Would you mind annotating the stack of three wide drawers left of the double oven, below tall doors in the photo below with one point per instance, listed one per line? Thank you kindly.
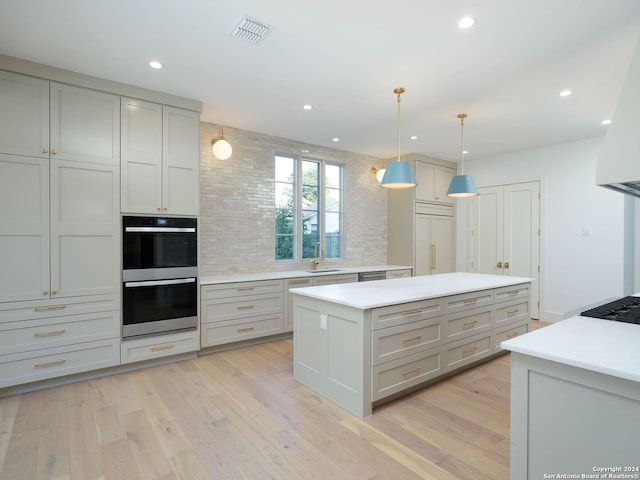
(64, 337)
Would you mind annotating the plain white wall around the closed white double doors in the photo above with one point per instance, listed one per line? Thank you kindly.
(582, 225)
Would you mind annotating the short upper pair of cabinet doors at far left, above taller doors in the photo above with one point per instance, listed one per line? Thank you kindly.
(50, 120)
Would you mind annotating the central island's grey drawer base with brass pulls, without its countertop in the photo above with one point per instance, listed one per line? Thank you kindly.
(359, 357)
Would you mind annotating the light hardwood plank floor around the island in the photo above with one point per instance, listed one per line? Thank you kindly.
(240, 414)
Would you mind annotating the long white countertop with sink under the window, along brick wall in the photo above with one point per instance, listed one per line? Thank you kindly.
(323, 270)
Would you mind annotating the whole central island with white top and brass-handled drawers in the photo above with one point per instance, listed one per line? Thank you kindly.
(361, 344)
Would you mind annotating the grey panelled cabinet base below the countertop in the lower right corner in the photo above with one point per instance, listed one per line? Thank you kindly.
(567, 421)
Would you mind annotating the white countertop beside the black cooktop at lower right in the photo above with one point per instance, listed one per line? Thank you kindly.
(603, 346)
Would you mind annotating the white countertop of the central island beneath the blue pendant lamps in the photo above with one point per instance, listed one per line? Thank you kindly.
(380, 293)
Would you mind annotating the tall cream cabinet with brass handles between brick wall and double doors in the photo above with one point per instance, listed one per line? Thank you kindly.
(421, 220)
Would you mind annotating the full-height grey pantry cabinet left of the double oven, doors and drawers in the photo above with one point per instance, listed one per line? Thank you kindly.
(59, 229)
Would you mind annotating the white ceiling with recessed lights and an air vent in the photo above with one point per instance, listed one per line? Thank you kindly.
(346, 56)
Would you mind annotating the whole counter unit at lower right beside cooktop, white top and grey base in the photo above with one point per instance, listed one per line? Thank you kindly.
(575, 400)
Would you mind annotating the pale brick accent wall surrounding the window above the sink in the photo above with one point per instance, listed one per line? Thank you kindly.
(237, 222)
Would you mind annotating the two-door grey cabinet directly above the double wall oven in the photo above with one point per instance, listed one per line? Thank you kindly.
(160, 159)
